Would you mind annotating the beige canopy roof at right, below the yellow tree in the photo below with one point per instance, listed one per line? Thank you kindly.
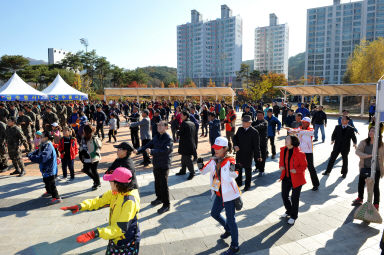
(363, 89)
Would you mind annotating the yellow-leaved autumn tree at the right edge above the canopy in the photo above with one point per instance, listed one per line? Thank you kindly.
(366, 64)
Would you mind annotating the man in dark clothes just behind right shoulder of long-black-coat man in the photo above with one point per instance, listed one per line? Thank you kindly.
(261, 125)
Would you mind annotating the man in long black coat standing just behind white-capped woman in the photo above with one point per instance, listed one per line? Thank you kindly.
(247, 146)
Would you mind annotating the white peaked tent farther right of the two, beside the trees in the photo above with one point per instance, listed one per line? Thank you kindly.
(60, 90)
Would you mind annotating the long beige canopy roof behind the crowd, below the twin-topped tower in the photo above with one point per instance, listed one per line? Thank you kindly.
(209, 91)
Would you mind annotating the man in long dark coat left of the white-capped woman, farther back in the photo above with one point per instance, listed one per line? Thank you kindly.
(187, 144)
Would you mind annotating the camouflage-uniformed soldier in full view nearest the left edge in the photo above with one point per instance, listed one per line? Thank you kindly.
(14, 137)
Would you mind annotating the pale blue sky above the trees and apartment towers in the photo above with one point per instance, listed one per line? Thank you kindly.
(133, 33)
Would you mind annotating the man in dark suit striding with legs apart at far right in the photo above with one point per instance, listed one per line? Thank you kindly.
(341, 138)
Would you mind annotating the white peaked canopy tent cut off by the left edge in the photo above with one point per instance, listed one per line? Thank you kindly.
(16, 89)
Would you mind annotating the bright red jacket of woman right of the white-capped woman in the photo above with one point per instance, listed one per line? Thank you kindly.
(298, 162)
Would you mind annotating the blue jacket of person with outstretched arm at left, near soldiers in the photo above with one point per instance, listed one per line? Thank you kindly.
(46, 157)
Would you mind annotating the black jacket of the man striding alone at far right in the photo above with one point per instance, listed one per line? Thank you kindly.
(342, 138)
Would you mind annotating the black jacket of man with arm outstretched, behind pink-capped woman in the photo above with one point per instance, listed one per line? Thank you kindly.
(161, 149)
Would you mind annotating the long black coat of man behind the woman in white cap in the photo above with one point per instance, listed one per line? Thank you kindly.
(249, 144)
